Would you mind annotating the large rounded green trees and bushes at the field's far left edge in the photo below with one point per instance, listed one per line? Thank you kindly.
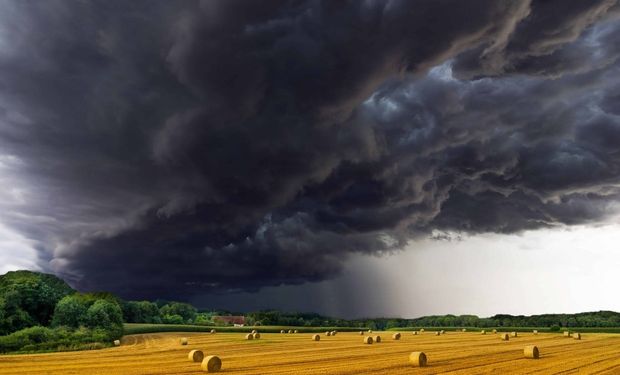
(41, 312)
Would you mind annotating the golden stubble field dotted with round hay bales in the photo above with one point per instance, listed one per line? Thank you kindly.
(275, 353)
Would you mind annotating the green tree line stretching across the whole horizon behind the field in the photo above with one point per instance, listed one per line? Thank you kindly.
(41, 312)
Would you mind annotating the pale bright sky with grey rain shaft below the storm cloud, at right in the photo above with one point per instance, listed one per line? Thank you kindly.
(536, 272)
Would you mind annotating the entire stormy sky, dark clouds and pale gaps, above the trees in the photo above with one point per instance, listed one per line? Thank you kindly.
(362, 158)
